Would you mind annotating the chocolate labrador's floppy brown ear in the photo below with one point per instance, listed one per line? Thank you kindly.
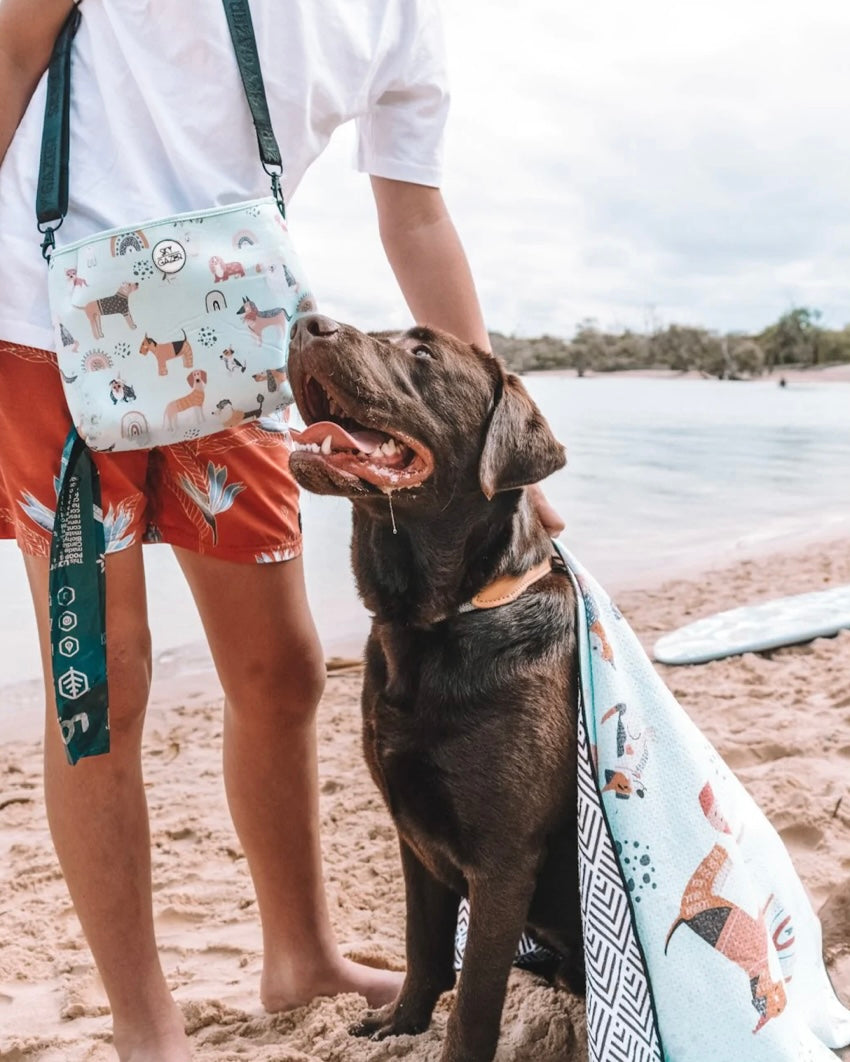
(520, 448)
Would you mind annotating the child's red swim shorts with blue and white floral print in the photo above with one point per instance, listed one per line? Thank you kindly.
(230, 495)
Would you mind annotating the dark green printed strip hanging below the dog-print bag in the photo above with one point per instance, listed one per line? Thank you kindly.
(78, 606)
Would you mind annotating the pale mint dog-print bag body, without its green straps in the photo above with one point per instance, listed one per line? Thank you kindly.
(178, 329)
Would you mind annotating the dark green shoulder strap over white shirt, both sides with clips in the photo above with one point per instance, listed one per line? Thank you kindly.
(52, 201)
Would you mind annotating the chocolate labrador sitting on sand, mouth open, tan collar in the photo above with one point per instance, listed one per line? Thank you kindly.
(469, 709)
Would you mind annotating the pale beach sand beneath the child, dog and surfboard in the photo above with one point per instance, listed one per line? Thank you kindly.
(781, 721)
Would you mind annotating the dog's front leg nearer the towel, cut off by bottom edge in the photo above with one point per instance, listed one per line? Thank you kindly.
(499, 911)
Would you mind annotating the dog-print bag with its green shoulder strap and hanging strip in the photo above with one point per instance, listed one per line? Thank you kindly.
(166, 331)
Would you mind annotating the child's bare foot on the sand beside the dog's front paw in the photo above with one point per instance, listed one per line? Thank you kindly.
(284, 991)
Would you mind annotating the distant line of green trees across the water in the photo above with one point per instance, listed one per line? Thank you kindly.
(796, 339)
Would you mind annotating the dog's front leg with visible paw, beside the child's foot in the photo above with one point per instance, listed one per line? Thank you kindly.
(432, 921)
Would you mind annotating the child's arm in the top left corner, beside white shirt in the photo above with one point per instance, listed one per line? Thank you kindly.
(28, 29)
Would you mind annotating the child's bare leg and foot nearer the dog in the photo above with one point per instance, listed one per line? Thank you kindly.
(271, 667)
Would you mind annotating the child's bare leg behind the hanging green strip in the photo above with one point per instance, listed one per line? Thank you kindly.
(98, 819)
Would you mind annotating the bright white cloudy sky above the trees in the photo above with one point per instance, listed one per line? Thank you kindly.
(637, 164)
